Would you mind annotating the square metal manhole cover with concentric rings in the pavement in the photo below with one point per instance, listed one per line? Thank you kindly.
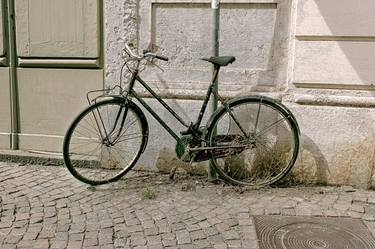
(283, 232)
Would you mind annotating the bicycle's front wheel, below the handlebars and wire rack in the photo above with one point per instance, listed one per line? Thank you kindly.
(104, 142)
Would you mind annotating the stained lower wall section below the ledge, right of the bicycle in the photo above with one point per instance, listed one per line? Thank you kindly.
(337, 144)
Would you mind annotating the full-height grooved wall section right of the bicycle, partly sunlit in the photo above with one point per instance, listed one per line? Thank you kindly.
(331, 90)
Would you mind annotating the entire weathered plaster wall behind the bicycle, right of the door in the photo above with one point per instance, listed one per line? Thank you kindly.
(315, 55)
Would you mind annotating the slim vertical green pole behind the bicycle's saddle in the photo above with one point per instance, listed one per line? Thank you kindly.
(215, 6)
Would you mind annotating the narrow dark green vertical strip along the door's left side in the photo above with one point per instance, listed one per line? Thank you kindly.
(12, 59)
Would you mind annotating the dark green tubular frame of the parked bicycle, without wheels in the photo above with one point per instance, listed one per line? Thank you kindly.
(192, 127)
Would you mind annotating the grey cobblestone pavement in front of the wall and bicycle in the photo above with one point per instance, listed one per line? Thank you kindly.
(45, 207)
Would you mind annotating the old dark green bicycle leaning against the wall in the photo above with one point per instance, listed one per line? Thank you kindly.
(252, 140)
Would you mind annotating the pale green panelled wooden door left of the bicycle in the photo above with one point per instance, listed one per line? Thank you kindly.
(58, 54)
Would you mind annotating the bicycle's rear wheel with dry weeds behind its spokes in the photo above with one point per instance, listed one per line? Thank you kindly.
(254, 141)
